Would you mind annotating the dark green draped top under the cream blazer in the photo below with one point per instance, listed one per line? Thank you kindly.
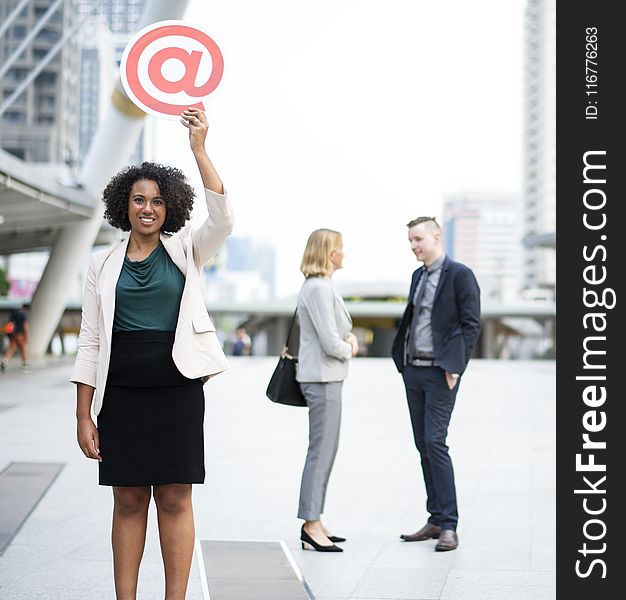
(148, 293)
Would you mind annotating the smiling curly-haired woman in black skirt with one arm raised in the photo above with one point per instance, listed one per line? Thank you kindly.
(146, 347)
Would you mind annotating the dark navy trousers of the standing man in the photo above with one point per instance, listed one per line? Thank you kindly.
(430, 404)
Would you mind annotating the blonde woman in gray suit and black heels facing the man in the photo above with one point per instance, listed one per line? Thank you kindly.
(326, 346)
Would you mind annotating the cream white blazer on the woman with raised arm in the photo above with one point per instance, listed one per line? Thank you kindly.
(197, 351)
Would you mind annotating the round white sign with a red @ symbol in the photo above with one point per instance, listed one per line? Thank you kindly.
(170, 66)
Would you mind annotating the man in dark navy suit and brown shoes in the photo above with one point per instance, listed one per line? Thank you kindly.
(431, 350)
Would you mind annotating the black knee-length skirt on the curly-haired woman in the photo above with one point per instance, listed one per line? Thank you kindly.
(151, 421)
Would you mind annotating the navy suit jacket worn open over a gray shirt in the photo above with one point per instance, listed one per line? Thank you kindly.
(455, 318)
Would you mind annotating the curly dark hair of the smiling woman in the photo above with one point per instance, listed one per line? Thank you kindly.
(173, 186)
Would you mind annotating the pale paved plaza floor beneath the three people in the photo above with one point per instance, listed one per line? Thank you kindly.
(502, 441)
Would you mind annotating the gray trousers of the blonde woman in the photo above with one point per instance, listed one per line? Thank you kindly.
(324, 400)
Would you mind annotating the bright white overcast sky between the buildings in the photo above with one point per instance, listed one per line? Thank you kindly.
(357, 115)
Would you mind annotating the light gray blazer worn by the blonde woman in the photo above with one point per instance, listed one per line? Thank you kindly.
(324, 326)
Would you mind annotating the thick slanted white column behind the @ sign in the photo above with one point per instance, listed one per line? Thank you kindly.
(109, 152)
